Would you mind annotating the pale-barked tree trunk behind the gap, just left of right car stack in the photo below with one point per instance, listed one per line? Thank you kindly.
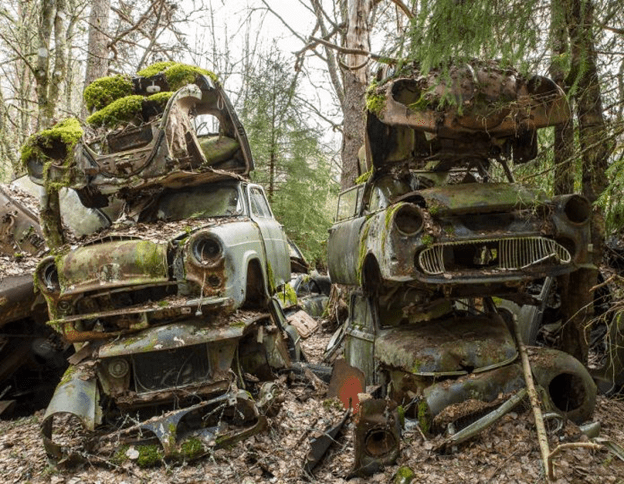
(355, 81)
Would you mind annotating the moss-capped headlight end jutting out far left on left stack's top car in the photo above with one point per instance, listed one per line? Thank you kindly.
(55, 143)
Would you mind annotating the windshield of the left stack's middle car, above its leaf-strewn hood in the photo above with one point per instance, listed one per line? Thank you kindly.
(200, 202)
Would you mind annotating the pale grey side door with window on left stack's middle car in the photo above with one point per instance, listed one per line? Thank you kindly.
(275, 241)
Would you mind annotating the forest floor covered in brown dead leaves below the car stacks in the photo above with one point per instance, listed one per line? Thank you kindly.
(507, 452)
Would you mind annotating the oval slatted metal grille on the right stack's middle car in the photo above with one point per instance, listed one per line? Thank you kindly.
(492, 254)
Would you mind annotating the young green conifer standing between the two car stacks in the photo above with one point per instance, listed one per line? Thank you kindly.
(277, 124)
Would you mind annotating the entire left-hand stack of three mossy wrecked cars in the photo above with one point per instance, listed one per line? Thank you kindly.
(169, 302)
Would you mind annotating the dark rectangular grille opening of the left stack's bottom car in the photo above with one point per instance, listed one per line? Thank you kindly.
(170, 369)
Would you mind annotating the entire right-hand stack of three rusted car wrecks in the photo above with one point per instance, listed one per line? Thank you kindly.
(431, 236)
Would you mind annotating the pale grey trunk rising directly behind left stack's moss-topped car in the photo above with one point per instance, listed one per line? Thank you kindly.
(97, 48)
